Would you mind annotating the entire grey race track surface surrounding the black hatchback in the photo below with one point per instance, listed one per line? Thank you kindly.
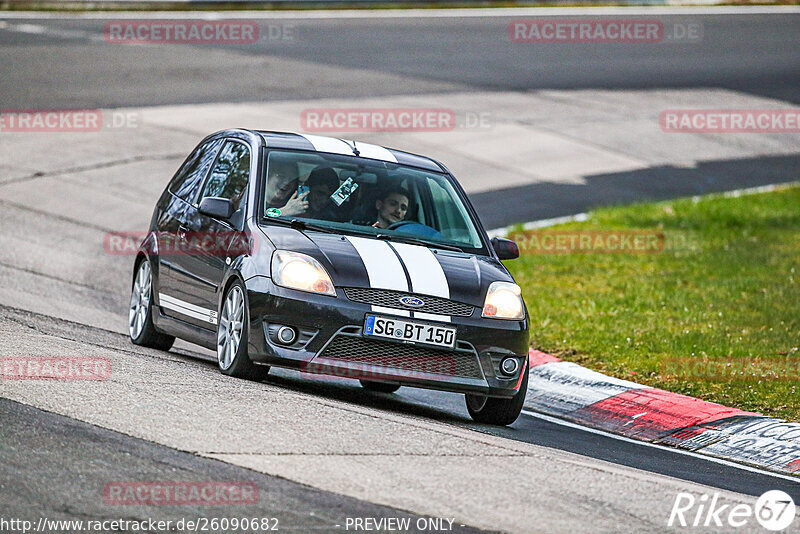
(321, 451)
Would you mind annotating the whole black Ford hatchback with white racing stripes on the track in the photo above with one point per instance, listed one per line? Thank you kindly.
(333, 257)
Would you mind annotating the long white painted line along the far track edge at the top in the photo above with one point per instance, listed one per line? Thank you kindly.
(415, 13)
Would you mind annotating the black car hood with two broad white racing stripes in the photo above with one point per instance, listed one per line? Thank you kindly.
(364, 262)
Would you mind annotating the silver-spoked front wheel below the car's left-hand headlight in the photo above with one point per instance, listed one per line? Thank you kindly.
(232, 332)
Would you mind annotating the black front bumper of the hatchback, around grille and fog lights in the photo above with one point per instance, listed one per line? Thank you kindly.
(331, 343)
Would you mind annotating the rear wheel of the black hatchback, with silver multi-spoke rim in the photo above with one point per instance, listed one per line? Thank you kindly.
(140, 314)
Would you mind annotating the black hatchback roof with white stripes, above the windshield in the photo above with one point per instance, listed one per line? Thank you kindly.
(335, 145)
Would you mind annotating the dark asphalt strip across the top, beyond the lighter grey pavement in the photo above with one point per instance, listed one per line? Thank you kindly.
(363, 57)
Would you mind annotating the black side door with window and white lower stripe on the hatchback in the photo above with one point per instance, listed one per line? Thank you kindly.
(199, 270)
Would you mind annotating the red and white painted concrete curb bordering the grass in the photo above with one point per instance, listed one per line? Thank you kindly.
(568, 391)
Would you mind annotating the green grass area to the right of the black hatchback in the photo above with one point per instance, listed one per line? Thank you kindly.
(726, 286)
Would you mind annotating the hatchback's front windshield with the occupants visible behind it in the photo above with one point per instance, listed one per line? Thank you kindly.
(363, 196)
